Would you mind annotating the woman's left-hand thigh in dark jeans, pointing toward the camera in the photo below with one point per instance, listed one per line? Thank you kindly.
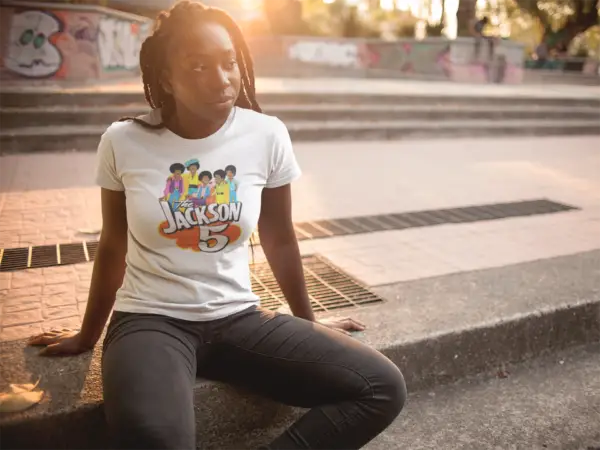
(148, 372)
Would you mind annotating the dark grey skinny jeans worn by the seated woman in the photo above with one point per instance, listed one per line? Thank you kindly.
(150, 365)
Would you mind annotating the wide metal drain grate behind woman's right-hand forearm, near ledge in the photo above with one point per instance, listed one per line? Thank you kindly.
(328, 287)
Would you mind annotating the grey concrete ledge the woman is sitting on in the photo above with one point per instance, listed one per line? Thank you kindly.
(437, 330)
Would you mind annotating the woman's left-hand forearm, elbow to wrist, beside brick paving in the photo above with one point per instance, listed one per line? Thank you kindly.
(107, 277)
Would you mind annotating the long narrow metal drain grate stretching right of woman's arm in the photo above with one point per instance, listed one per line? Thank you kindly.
(384, 222)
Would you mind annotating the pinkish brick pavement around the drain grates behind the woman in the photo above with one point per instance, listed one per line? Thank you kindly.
(60, 200)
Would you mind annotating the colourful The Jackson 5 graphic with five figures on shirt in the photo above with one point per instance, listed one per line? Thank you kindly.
(201, 207)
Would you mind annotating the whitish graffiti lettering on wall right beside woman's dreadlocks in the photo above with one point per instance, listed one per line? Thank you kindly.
(119, 43)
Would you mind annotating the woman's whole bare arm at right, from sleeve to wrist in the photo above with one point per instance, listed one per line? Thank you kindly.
(278, 240)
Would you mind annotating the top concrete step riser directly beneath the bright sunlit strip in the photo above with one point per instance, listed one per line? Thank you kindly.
(54, 97)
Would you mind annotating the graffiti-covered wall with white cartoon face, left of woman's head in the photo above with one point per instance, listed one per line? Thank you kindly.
(68, 44)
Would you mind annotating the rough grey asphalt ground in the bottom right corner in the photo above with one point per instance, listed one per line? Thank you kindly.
(550, 403)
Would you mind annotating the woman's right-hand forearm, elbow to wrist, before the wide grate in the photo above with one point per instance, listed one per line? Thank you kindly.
(286, 263)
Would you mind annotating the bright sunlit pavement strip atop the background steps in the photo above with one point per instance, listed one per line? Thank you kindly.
(371, 86)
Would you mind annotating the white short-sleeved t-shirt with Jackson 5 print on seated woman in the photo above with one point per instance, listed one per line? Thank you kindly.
(187, 254)
